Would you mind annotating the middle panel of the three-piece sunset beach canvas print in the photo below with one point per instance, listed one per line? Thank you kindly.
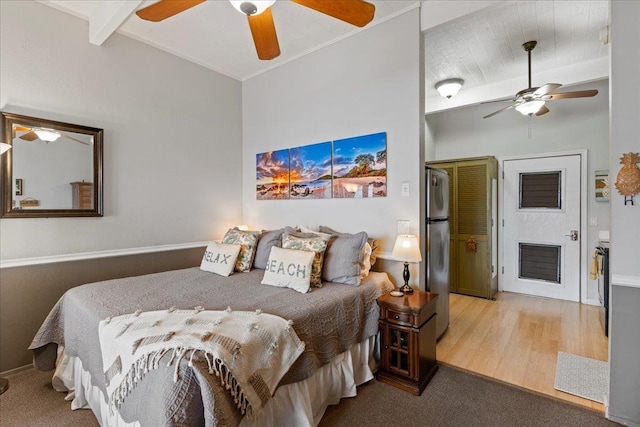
(310, 171)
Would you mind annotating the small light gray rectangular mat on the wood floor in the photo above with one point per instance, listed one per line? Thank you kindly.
(582, 376)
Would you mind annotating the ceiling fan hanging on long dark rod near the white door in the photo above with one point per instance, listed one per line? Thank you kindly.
(531, 101)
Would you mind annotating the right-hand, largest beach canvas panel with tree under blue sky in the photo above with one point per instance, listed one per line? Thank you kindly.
(360, 166)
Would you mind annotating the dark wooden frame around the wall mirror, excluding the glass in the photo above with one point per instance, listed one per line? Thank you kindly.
(7, 209)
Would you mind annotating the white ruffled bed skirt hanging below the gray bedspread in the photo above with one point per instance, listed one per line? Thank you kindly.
(298, 404)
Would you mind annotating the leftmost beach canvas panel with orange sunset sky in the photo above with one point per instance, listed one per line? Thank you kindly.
(272, 175)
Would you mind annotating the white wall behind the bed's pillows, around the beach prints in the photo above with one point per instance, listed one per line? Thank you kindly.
(364, 84)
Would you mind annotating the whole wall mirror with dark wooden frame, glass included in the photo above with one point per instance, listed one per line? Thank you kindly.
(53, 169)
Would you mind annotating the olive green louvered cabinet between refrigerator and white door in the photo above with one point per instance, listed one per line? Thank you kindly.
(473, 268)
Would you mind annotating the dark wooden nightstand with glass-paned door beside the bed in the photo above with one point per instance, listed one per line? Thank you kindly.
(408, 340)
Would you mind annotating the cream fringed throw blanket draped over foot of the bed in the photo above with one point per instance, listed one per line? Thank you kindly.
(249, 351)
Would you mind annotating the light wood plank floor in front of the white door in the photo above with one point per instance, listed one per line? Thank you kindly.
(516, 339)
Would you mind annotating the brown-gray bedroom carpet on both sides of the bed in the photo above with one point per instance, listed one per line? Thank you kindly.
(452, 398)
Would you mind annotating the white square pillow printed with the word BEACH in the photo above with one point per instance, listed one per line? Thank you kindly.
(289, 268)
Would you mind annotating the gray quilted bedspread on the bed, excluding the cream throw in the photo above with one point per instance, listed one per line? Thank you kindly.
(329, 320)
